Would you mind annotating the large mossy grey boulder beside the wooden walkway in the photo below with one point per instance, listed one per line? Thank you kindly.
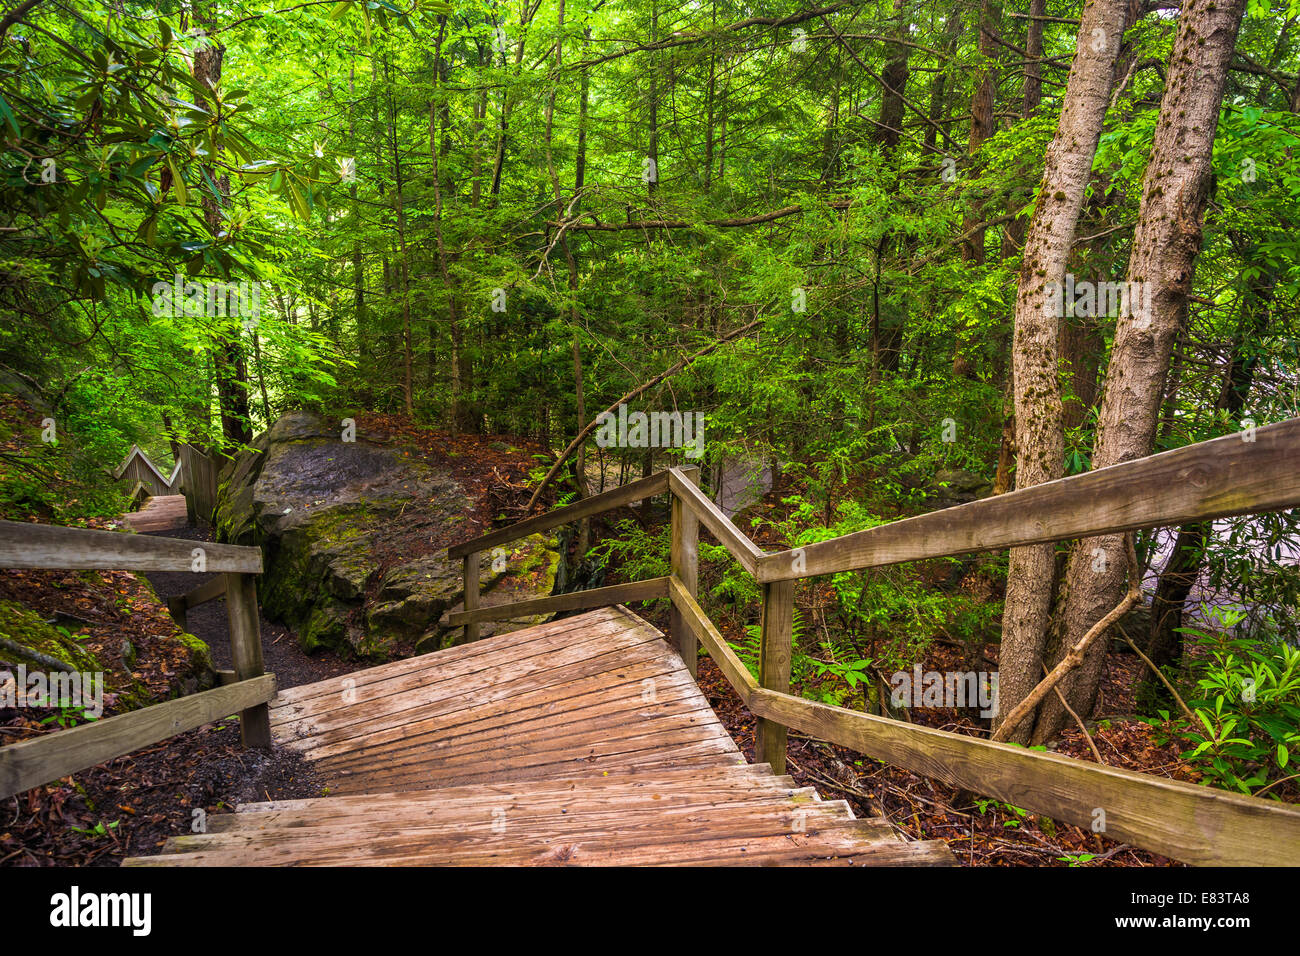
(356, 539)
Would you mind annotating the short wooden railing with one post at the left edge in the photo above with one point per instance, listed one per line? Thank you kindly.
(248, 690)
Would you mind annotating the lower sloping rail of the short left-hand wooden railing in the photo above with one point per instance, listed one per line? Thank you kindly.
(33, 763)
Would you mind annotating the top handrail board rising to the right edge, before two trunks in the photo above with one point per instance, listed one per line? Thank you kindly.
(1212, 479)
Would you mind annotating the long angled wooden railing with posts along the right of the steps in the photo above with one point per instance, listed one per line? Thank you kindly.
(1241, 474)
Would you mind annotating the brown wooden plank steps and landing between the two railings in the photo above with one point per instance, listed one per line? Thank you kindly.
(582, 742)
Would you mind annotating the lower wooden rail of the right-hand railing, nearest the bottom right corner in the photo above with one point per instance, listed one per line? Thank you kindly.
(1195, 825)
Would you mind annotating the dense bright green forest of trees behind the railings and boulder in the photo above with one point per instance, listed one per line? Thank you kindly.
(891, 256)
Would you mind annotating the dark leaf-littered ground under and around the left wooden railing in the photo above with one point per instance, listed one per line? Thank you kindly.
(131, 806)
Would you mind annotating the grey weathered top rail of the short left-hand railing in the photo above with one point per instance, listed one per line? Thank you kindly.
(45, 546)
